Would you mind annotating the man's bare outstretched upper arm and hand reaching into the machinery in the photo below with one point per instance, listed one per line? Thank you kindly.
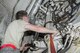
(40, 29)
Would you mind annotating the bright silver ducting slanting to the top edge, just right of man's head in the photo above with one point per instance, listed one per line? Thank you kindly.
(34, 6)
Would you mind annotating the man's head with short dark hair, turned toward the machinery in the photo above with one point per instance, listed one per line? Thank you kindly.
(22, 15)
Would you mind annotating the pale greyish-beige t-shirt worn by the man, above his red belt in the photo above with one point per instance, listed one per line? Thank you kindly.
(15, 32)
